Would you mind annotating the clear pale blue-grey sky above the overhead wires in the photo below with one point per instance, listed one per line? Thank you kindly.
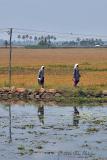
(64, 16)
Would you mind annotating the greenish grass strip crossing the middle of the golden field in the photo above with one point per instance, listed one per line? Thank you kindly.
(52, 68)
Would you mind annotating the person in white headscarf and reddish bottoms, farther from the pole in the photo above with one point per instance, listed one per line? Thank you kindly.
(76, 74)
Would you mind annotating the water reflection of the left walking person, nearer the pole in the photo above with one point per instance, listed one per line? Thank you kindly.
(41, 113)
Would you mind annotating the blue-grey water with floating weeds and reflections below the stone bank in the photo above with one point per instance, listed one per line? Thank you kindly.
(43, 132)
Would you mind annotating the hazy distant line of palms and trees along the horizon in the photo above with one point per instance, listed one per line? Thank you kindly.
(50, 41)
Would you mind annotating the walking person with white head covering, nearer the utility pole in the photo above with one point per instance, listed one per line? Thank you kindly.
(41, 76)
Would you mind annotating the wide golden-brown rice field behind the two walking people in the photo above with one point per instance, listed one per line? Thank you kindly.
(58, 67)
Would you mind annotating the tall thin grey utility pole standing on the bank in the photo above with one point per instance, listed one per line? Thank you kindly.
(10, 57)
